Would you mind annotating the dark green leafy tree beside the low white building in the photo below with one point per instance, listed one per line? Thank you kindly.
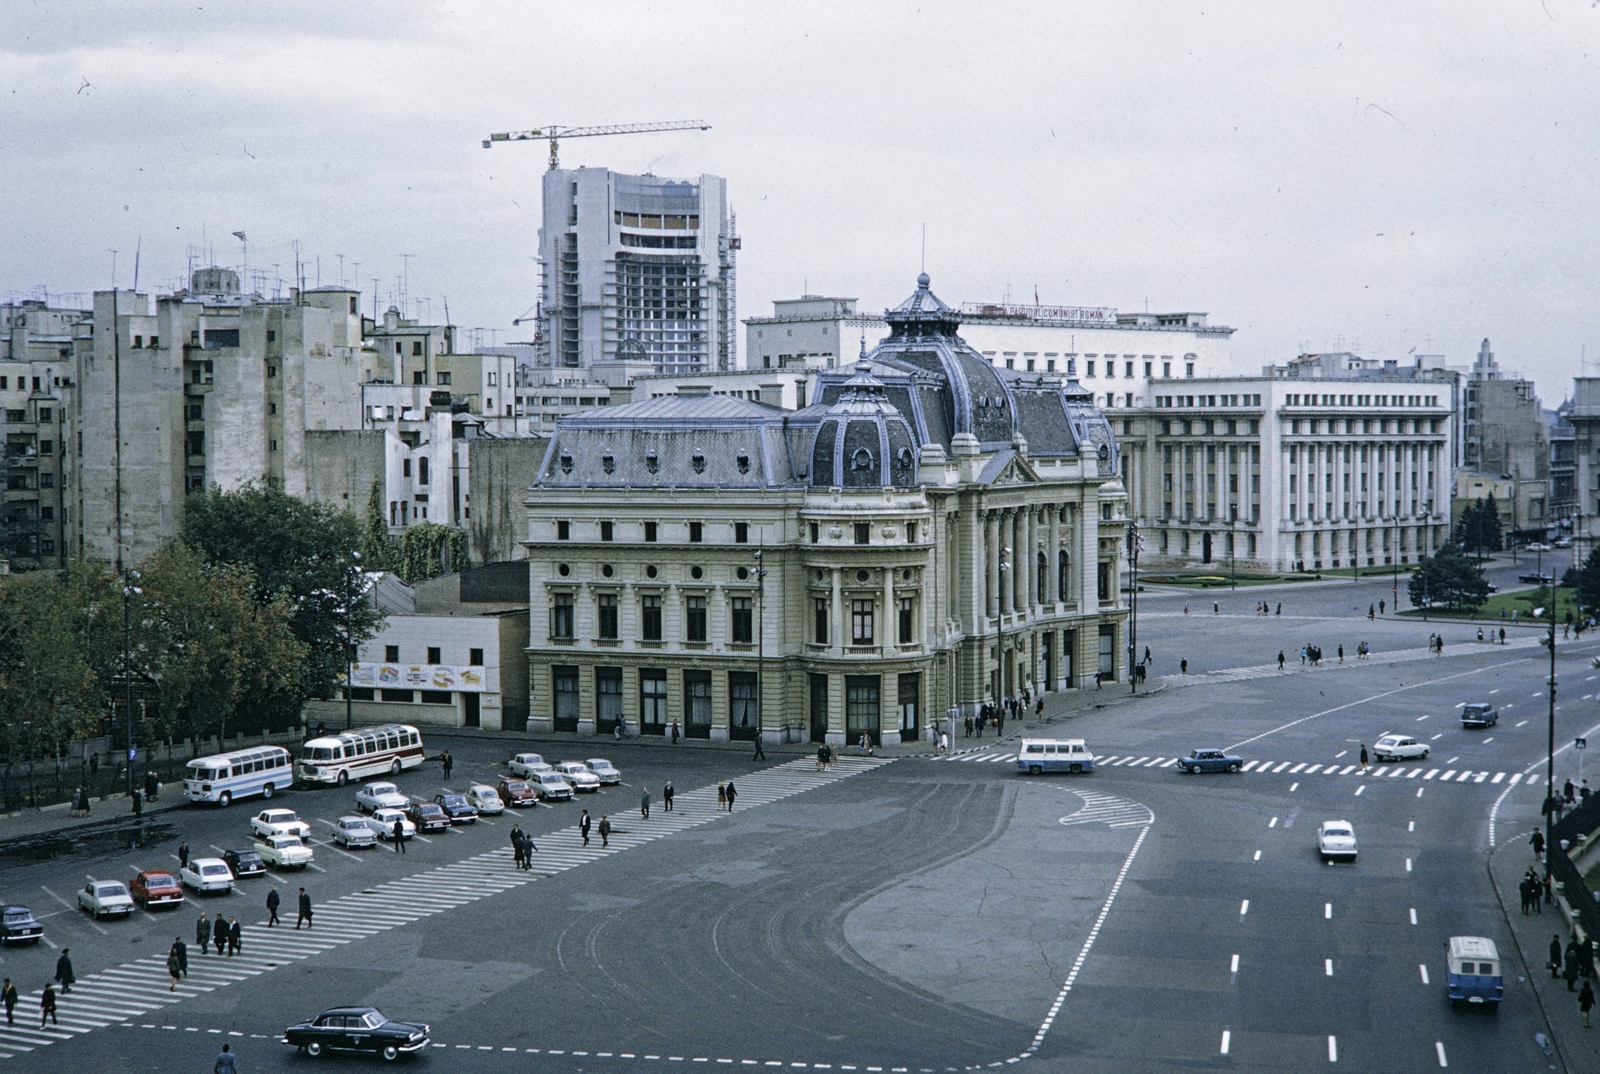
(306, 555)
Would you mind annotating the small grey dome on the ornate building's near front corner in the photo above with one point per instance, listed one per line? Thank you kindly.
(863, 439)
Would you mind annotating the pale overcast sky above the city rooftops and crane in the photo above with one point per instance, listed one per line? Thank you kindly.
(1388, 177)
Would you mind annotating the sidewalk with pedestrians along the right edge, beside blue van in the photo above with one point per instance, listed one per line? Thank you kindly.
(1575, 1048)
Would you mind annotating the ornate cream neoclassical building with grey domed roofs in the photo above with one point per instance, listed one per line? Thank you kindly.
(932, 534)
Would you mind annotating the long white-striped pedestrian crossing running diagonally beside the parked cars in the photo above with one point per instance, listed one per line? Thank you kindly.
(142, 988)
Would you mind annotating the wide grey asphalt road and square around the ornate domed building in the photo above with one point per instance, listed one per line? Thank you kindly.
(919, 915)
